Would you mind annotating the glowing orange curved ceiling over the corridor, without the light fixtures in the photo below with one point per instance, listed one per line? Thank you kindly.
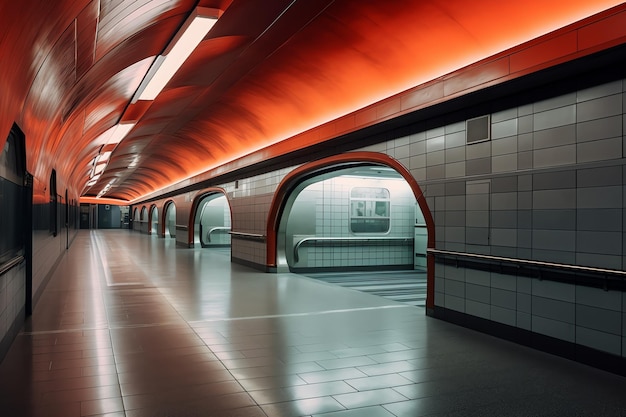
(266, 71)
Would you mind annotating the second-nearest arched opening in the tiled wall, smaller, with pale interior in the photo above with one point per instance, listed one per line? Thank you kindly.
(211, 220)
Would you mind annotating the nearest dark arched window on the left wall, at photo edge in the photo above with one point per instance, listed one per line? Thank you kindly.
(12, 172)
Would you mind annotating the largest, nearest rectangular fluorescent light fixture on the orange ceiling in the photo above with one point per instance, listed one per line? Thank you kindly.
(195, 28)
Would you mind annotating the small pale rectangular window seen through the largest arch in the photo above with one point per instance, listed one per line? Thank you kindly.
(369, 210)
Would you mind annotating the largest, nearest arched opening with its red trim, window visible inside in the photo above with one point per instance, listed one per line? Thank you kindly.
(356, 211)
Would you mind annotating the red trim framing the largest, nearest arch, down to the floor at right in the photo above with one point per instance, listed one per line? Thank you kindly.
(297, 175)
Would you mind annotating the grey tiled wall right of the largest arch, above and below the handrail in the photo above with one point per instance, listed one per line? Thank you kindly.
(562, 202)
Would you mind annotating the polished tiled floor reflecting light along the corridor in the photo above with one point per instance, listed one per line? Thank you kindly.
(130, 325)
